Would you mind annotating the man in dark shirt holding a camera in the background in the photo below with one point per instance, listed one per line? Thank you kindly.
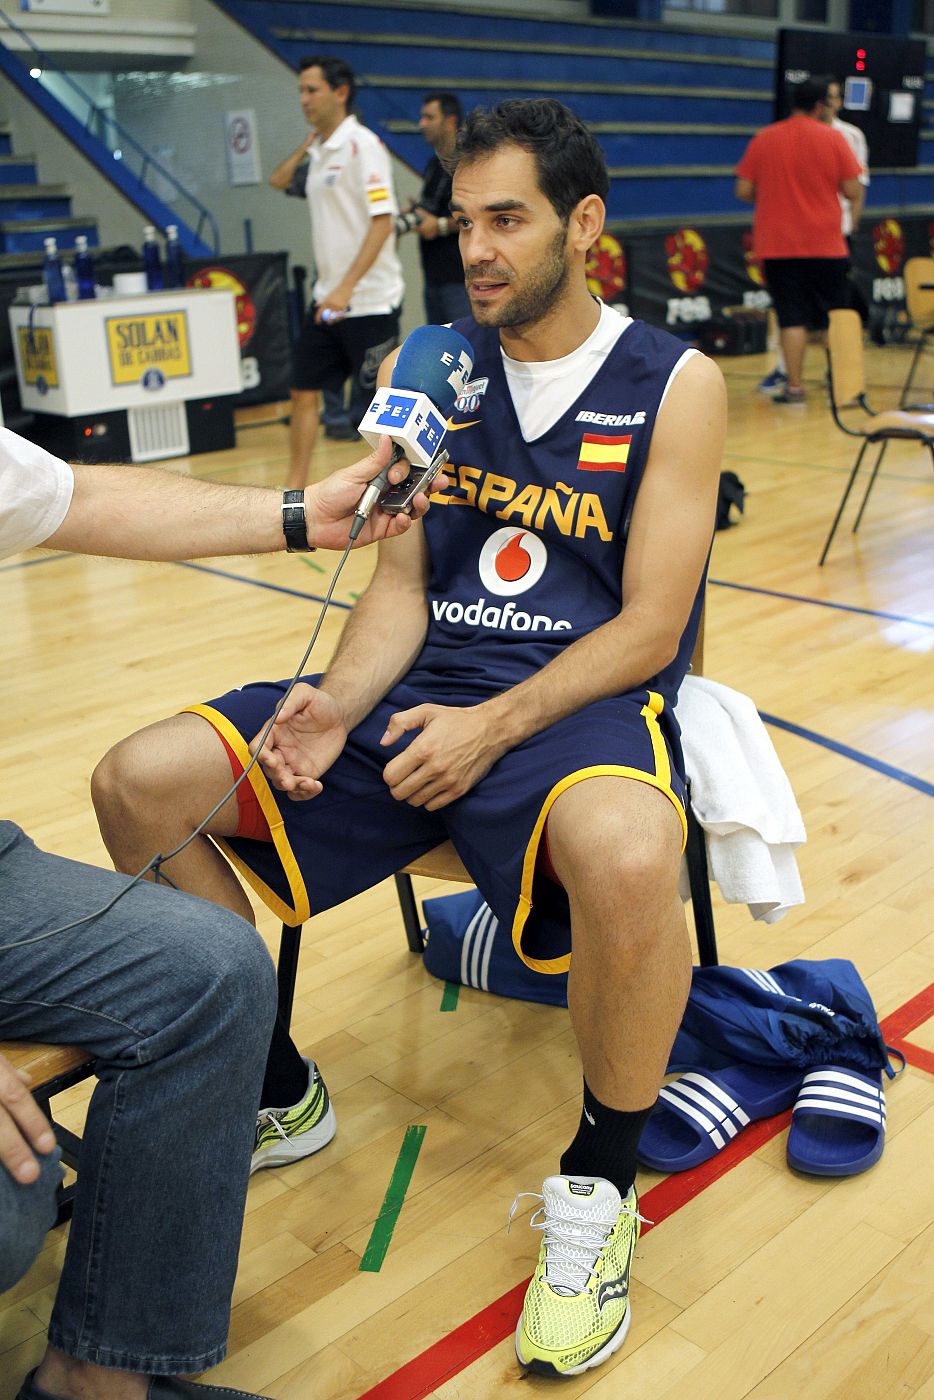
(446, 296)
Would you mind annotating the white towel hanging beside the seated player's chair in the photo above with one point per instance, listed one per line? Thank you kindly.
(743, 799)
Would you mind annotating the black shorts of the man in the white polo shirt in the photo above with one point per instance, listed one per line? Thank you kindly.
(326, 358)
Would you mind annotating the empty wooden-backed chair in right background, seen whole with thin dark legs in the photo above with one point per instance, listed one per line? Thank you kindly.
(848, 387)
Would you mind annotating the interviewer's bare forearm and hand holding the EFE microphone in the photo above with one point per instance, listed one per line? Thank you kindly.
(142, 513)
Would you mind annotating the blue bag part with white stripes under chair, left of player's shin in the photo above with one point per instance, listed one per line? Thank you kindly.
(466, 943)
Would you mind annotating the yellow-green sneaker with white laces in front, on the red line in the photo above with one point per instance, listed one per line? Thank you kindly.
(576, 1311)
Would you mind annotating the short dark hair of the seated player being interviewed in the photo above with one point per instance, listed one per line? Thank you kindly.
(568, 157)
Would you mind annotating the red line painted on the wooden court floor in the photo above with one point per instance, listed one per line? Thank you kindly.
(496, 1322)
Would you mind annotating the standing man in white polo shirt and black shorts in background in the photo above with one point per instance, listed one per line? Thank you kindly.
(354, 323)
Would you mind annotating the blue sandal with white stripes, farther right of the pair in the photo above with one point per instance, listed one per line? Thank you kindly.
(838, 1125)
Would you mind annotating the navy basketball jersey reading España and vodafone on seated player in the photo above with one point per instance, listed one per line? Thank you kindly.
(527, 548)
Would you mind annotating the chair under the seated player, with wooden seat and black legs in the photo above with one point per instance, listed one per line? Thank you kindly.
(445, 864)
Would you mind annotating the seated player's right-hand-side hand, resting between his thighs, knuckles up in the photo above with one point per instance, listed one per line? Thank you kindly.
(446, 761)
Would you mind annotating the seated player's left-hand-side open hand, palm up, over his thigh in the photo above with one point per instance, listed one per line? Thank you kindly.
(306, 740)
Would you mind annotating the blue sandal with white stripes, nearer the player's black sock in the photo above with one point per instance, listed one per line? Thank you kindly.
(701, 1114)
